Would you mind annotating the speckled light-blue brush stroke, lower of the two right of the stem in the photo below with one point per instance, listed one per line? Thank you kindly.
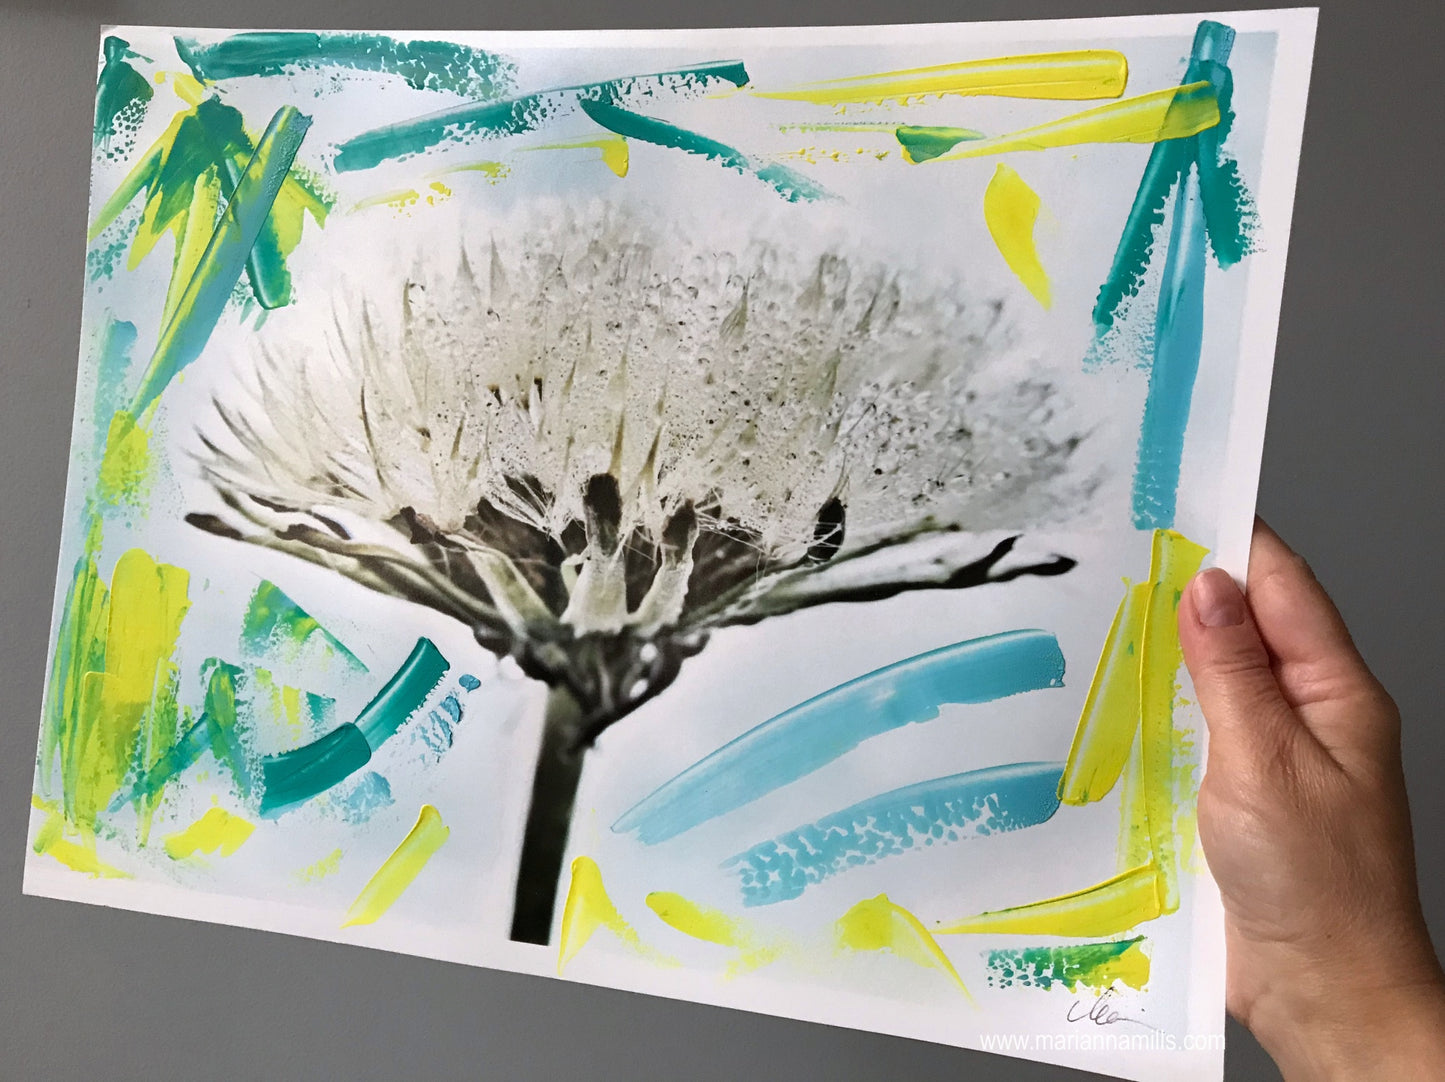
(972, 805)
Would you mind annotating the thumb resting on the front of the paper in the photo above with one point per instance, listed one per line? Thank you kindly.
(1239, 694)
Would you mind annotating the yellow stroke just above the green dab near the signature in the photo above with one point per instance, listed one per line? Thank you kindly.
(1106, 909)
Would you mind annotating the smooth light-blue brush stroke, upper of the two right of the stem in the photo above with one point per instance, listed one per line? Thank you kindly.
(813, 735)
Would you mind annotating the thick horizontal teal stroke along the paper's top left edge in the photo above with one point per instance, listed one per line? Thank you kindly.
(426, 66)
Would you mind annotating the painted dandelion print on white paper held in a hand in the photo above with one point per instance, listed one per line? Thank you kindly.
(693, 512)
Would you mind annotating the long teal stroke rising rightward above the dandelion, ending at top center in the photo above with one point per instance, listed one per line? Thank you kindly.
(517, 116)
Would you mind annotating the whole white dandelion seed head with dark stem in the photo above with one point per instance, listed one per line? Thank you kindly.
(596, 441)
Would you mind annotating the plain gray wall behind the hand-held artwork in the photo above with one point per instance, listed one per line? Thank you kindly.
(1352, 477)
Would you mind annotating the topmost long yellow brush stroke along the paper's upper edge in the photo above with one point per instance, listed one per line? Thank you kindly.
(1058, 76)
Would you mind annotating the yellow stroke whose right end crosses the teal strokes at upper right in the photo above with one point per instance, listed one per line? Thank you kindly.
(1147, 119)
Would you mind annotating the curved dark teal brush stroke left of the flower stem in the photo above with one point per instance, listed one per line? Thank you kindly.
(303, 774)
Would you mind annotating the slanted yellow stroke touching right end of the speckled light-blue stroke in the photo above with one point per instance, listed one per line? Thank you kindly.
(1110, 717)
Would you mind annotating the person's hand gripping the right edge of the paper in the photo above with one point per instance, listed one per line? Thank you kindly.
(1306, 826)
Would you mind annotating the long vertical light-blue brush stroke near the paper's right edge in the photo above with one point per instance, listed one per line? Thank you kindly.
(1178, 340)
